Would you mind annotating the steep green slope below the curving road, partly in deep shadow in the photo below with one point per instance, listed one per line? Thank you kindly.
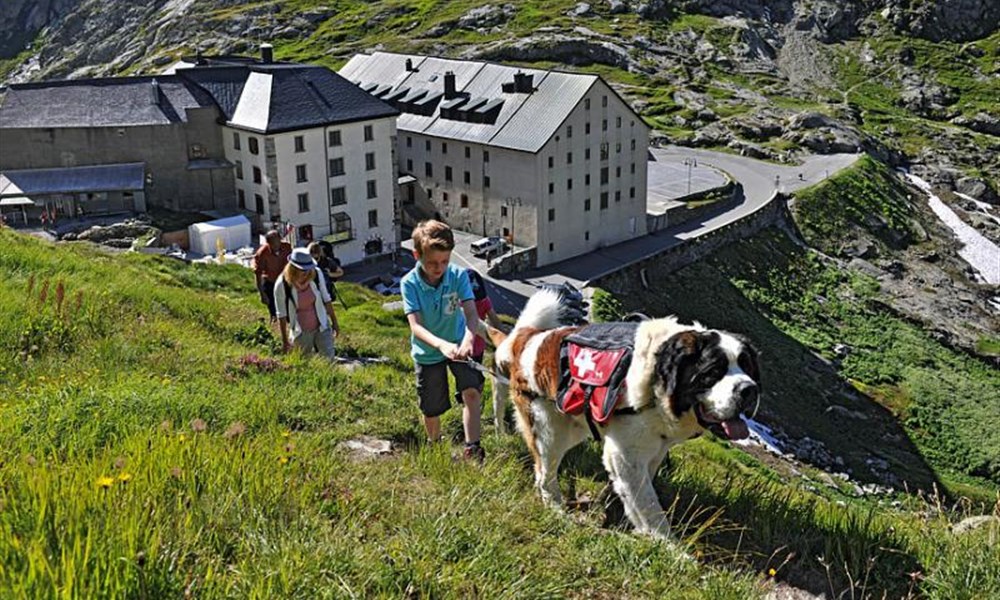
(798, 306)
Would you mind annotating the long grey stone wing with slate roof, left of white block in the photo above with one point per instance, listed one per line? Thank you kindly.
(165, 123)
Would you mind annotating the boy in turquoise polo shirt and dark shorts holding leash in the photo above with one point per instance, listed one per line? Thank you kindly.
(441, 311)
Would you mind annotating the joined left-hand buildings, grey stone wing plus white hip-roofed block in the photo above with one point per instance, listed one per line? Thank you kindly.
(292, 145)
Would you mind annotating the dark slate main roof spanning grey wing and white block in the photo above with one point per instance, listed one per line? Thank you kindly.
(268, 98)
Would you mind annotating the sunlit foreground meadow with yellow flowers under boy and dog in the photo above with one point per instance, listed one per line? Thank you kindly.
(262, 503)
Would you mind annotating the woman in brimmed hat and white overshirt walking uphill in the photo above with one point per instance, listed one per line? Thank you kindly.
(304, 307)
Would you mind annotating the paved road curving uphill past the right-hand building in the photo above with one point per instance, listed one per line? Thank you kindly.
(759, 179)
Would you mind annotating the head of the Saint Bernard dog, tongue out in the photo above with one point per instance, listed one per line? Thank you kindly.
(713, 373)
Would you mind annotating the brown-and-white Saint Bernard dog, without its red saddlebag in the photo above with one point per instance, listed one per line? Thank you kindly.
(683, 379)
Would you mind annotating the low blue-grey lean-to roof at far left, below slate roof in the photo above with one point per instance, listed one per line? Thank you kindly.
(72, 180)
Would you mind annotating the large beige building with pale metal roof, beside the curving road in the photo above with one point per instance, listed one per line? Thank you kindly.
(553, 160)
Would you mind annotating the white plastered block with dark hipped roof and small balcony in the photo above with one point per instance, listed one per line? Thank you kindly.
(311, 152)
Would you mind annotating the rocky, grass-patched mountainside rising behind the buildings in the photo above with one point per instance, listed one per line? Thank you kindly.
(910, 81)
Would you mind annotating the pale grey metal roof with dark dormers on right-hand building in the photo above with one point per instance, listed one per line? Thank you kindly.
(525, 121)
